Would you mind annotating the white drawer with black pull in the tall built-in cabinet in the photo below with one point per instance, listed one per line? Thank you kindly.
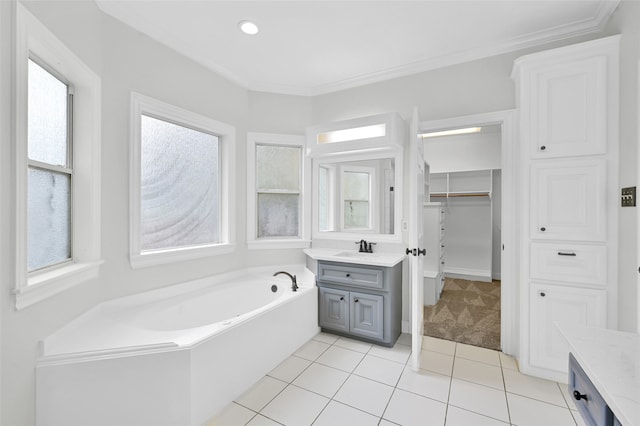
(572, 263)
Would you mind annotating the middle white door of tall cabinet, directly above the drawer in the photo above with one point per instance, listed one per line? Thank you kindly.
(568, 200)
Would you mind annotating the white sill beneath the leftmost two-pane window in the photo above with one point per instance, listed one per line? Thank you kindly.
(44, 285)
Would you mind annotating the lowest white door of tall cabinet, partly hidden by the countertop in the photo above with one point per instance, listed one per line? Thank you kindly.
(550, 304)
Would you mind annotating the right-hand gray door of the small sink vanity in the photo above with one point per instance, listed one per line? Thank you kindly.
(367, 315)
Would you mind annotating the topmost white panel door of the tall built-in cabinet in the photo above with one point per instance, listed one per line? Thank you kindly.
(569, 109)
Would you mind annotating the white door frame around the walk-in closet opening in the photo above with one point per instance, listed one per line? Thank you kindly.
(510, 292)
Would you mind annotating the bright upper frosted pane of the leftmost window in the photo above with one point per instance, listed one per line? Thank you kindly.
(47, 117)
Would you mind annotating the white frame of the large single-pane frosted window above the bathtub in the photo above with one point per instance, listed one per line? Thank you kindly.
(145, 105)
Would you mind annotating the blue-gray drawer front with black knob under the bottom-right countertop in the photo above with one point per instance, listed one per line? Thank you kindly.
(592, 407)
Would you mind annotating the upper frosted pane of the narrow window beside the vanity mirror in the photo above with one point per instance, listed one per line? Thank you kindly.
(278, 167)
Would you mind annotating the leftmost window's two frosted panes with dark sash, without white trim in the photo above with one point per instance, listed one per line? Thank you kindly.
(49, 130)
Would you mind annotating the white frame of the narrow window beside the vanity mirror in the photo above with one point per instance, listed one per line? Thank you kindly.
(303, 240)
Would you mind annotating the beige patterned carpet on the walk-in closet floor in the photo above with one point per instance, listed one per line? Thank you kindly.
(467, 312)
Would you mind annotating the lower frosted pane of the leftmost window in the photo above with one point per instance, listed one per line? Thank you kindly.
(49, 218)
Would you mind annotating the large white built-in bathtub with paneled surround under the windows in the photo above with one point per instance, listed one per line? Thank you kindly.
(174, 356)
